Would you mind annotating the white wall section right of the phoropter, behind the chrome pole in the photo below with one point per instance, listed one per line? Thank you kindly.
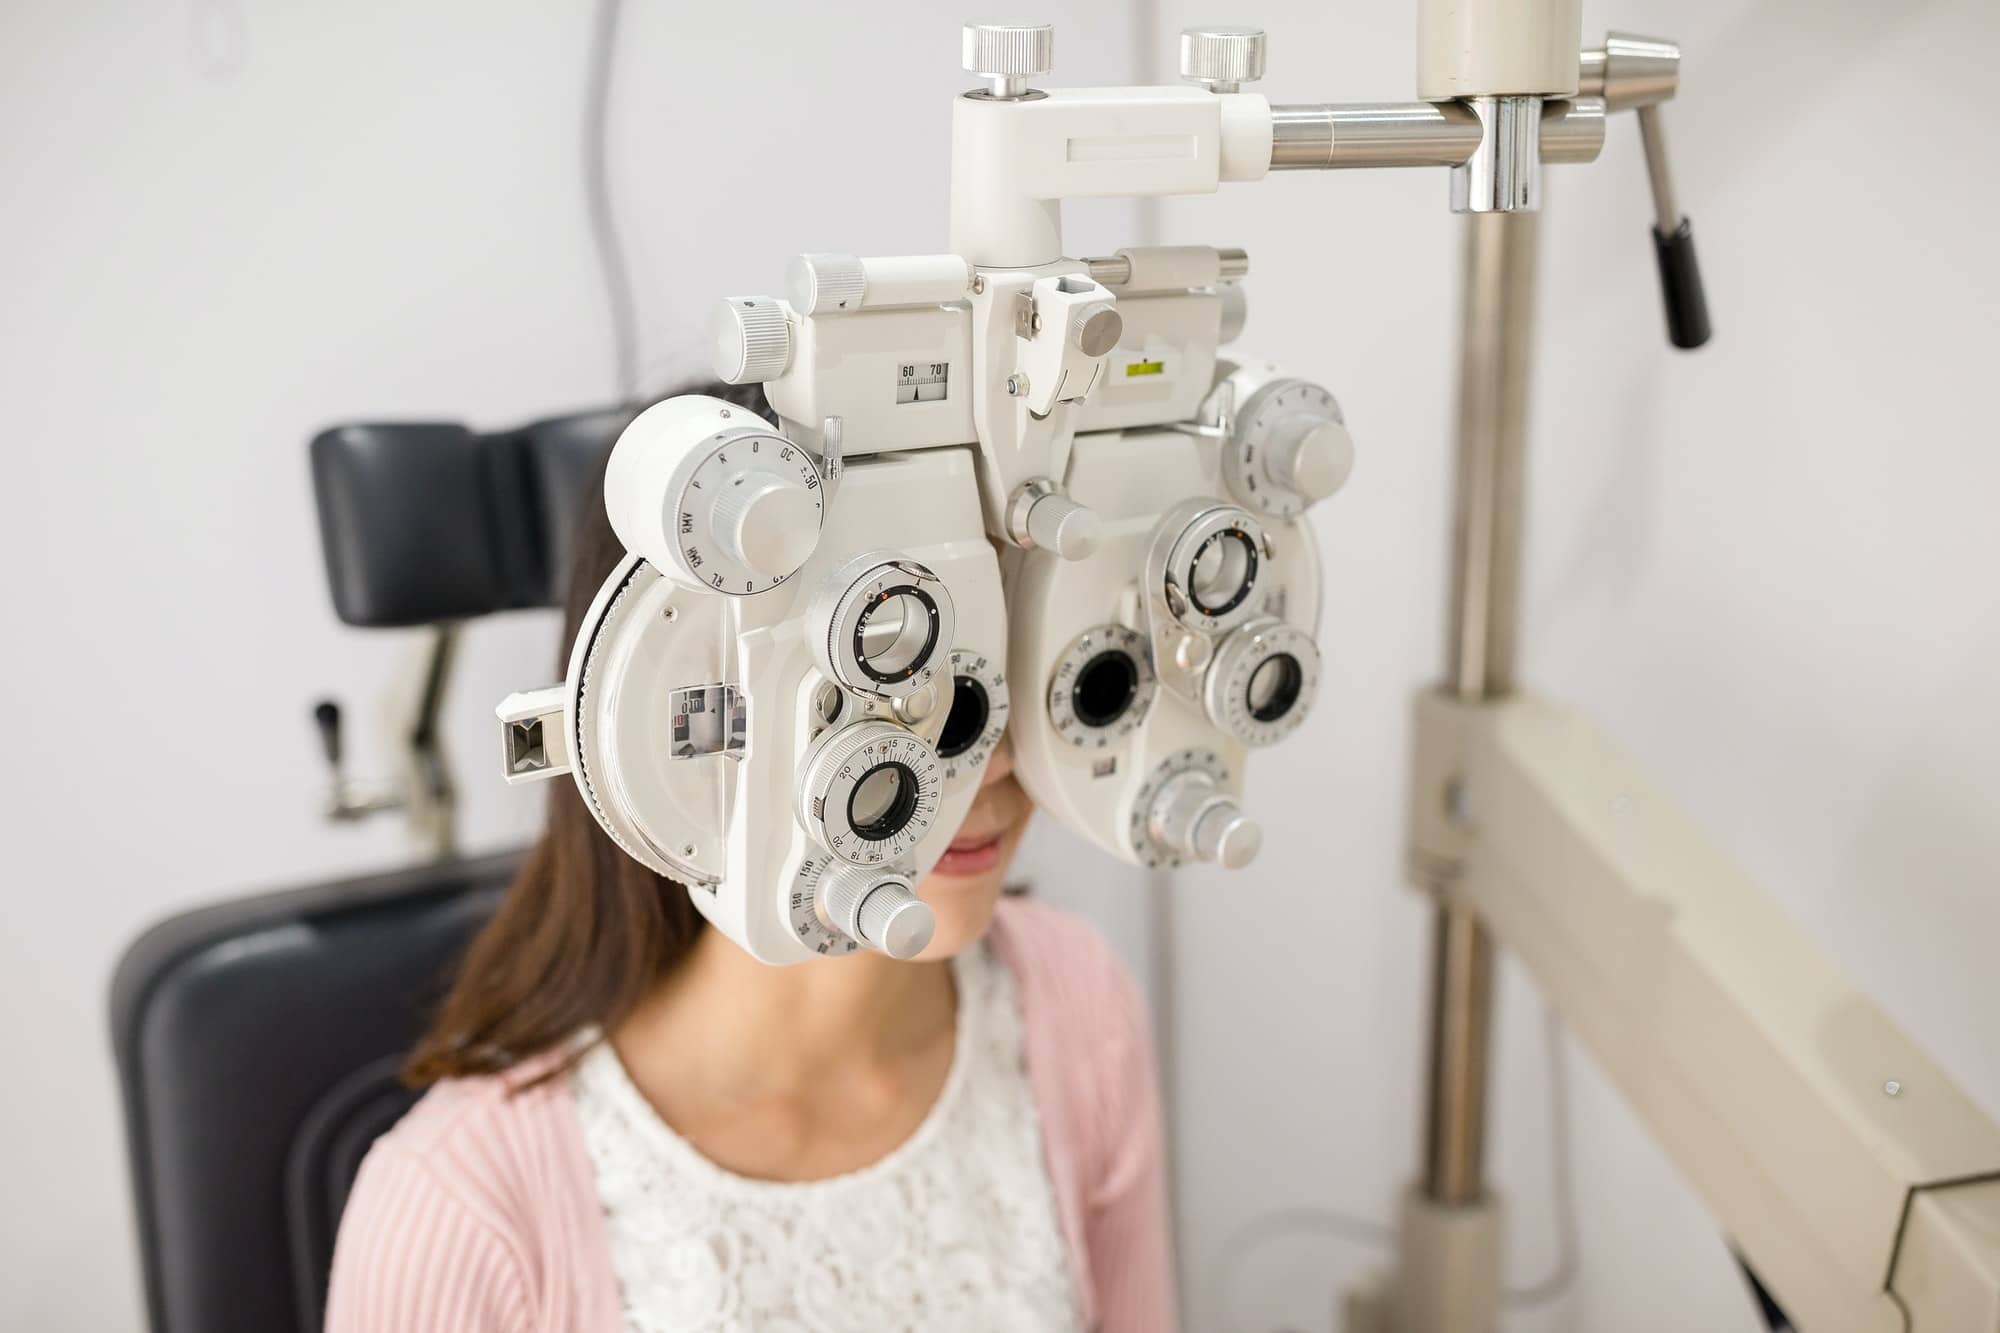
(1769, 569)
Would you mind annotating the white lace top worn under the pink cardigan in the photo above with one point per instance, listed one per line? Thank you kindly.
(955, 1230)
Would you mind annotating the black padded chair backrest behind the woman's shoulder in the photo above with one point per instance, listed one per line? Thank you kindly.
(259, 1046)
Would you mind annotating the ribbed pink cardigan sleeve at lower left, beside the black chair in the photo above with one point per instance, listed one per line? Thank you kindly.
(415, 1258)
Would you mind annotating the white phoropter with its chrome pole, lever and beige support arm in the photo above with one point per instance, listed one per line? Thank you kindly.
(1013, 487)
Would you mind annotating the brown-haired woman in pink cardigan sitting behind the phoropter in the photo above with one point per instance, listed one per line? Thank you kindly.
(635, 1126)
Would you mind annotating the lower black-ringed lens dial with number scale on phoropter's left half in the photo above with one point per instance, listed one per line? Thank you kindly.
(869, 792)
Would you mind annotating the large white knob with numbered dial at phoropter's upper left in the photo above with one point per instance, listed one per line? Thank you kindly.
(713, 495)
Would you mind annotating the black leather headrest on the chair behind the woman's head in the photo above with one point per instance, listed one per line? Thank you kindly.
(429, 523)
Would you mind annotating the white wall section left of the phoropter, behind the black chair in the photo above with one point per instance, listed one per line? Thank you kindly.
(233, 223)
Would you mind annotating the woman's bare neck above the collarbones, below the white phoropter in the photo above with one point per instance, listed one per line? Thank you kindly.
(749, 1032)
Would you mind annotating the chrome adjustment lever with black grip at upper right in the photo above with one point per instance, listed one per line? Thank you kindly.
(1633, 73)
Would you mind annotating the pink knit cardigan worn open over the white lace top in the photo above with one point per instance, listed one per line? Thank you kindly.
(479, 1212)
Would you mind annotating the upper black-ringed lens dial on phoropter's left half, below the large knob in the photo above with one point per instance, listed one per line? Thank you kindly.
(887, 625)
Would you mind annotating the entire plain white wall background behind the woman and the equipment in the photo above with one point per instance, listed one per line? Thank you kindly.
(1769, 569)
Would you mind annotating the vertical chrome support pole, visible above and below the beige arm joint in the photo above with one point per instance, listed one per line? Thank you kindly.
(1493, 415)
